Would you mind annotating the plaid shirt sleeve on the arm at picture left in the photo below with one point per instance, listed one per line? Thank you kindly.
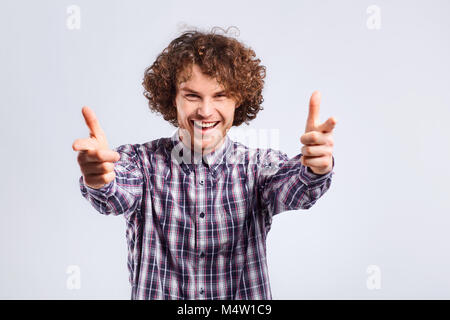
(124, 194)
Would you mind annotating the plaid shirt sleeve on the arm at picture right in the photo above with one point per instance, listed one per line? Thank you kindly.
(285, 184)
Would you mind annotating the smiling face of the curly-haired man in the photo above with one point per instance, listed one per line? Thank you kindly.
(205, 112)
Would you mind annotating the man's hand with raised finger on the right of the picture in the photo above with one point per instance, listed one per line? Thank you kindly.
(317, 152)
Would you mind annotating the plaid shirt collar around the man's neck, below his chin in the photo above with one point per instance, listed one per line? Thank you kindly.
(210, 160)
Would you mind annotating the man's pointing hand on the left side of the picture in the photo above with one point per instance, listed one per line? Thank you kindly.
(95, 158)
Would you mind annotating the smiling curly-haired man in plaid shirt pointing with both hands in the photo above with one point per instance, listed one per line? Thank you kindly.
(198, 205)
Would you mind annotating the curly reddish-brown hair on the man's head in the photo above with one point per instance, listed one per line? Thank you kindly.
(222, 57)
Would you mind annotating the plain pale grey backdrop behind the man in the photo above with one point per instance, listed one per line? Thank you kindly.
(388, 204)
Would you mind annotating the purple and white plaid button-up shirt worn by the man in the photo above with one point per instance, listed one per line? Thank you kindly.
(197, 227)
